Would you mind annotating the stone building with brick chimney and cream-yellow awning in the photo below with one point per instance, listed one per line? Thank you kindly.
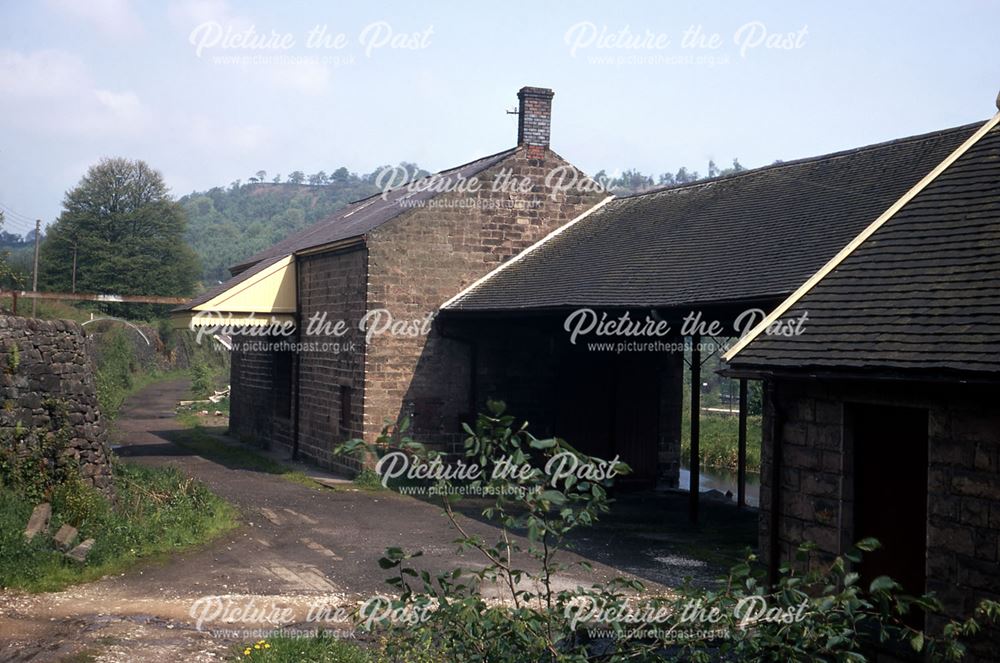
(387, 263)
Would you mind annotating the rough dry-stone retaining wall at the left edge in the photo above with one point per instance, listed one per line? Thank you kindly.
(48, 389)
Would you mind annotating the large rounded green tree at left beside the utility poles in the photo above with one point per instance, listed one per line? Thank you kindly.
(128, 235)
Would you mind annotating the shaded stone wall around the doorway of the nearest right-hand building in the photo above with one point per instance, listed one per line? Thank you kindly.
(807, 420)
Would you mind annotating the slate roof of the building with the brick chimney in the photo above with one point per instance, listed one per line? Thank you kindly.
(354, 220)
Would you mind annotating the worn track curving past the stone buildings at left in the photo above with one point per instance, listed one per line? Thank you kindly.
(297, 547)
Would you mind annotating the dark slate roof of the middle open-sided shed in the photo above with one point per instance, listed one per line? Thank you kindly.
(752, 236)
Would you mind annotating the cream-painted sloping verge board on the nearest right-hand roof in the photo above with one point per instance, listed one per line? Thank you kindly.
(863, 236)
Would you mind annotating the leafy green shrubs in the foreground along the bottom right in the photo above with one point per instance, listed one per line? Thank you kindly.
(815, 611)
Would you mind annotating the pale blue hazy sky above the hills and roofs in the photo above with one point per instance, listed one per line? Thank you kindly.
(429, 82)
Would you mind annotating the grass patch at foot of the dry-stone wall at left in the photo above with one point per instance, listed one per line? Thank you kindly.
(159, 511)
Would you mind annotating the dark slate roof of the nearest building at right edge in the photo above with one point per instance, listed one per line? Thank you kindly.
(921, 294)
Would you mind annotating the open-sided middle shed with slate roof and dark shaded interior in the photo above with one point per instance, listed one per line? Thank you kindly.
(717, 248)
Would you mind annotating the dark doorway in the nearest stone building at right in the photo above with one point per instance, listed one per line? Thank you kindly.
(890, 492)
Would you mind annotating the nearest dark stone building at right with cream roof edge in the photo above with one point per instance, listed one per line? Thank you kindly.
(881, 417)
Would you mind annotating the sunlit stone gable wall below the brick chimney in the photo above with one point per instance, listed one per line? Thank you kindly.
(423, 258)
